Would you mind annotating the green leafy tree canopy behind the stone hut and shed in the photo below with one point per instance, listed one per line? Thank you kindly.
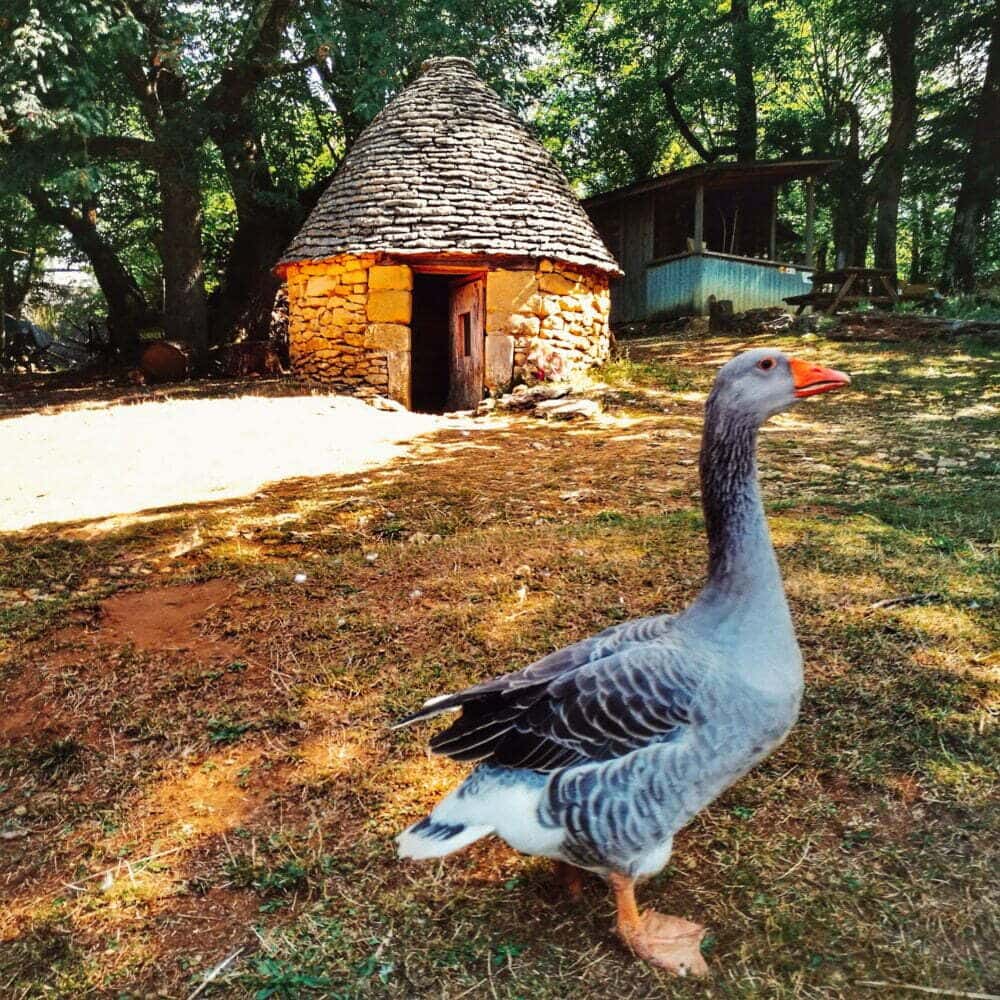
(97, 101)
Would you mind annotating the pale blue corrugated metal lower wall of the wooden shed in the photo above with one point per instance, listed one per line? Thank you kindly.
(684, 285)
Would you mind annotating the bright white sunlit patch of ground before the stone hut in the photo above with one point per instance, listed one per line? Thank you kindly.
(94, 463)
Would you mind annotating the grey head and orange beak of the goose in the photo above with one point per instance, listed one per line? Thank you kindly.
(757, 384)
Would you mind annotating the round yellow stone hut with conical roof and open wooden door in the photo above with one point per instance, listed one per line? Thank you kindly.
(448, 256)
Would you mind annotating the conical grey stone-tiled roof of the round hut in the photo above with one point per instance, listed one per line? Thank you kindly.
(446, 167)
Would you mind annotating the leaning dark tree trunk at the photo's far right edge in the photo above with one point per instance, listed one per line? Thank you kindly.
(979, 178)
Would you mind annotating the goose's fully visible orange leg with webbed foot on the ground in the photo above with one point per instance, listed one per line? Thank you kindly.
(671, 943)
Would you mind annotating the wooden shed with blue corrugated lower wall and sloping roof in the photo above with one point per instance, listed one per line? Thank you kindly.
(707, 231)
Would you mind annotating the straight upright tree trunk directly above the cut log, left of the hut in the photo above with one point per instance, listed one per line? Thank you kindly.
(185, 312)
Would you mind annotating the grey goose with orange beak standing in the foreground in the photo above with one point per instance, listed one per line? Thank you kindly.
(597, 754)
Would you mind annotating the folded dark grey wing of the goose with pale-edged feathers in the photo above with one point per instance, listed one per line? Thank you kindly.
(624, 689)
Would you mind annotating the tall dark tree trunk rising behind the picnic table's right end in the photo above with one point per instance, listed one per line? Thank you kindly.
(901, 39)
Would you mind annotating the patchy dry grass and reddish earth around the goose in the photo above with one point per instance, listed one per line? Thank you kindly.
(238, 787)
